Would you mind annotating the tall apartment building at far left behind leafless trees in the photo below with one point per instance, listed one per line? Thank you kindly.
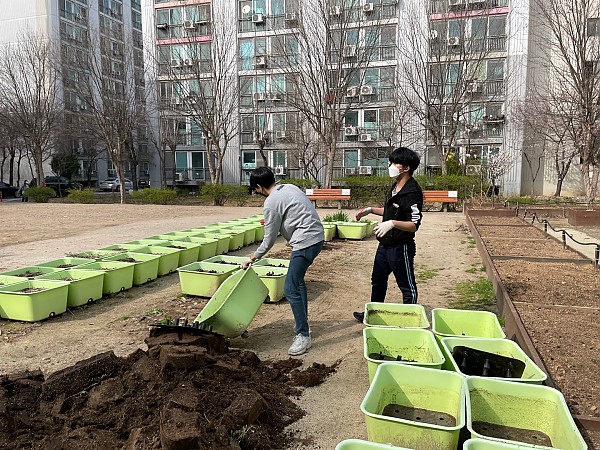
(115, 25)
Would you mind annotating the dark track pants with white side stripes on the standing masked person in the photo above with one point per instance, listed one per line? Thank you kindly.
(399, 261)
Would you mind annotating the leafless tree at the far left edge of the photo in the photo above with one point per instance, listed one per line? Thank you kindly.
(29, 83)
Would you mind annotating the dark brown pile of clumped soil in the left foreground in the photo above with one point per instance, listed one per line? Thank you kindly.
(186, 391)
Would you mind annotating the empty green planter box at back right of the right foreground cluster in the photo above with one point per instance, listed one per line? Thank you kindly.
(465, 323)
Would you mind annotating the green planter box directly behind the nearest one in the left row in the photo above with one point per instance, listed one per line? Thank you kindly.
(85, 286)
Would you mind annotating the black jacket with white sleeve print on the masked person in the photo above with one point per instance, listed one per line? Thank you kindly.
(407, 206)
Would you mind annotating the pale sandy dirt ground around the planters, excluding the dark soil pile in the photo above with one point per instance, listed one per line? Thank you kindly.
(338, 283)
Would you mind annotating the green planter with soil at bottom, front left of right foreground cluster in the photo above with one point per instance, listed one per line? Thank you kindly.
(410, 387)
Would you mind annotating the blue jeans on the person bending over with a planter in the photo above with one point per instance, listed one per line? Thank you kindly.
(295, 288)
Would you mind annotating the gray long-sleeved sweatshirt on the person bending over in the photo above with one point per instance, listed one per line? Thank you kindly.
(288, 211)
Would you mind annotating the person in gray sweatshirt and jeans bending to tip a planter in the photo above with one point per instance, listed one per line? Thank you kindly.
(288, 211)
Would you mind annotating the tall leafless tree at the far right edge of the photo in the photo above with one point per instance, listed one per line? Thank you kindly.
(568, 37)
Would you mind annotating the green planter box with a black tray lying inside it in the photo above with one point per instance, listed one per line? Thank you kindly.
(503, 347)
